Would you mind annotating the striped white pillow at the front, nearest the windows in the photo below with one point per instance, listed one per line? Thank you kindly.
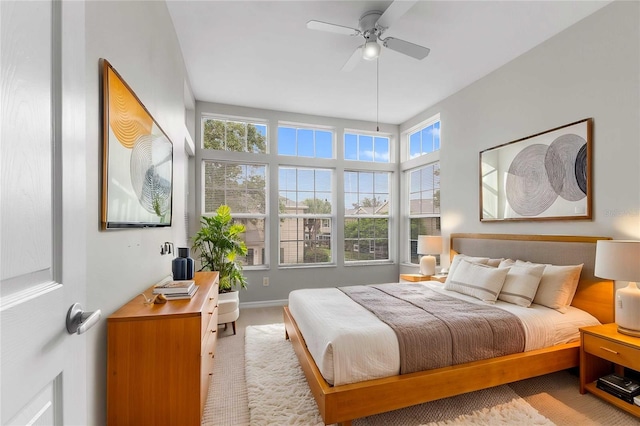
(474, 279)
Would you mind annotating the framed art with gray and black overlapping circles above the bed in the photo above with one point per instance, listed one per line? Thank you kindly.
(546, 176)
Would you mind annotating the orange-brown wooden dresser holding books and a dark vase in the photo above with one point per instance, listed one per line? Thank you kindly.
(160, 358)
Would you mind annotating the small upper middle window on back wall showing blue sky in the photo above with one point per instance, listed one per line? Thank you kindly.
(304, 142)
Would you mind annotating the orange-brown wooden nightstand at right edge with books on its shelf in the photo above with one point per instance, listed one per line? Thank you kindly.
(603, 349)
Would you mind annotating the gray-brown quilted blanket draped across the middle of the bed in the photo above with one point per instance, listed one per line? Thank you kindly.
(435, 330)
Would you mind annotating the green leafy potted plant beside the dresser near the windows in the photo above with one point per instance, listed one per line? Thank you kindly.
(218, 244)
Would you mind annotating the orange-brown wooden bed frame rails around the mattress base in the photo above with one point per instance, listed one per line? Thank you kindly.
(342, 404)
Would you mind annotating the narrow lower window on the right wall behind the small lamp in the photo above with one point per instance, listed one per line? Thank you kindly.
(424, 205)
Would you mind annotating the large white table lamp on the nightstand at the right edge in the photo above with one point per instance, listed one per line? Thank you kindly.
(619, 260)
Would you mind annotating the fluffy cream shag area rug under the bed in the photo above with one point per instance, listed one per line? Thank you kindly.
(278, 394)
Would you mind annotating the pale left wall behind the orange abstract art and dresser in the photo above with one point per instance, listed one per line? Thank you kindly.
(139, 41)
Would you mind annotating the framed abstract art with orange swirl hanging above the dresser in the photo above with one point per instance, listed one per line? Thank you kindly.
(137, 169)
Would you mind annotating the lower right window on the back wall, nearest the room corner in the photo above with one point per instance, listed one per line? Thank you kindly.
(366, 223)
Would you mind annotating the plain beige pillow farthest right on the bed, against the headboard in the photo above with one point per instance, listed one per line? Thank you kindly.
(557, 286)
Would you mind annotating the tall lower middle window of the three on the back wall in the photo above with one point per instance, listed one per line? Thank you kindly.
(305, 211)
